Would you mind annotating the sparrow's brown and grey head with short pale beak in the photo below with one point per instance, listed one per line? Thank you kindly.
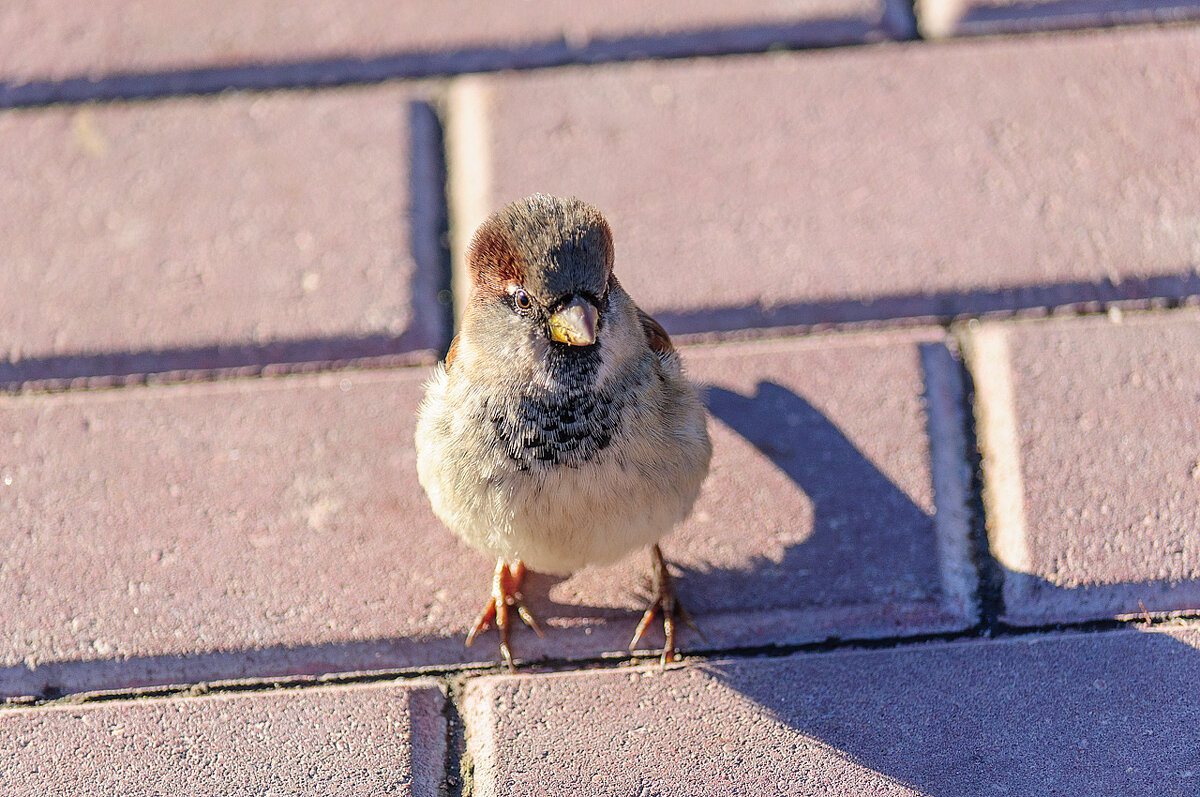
(541, 273)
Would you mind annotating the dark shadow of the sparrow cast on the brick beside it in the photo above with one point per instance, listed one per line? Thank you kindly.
(867, 534)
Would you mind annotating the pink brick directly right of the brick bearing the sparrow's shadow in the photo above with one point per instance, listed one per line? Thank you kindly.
(1090, 436)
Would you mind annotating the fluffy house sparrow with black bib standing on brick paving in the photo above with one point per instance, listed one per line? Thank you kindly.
(561, 432)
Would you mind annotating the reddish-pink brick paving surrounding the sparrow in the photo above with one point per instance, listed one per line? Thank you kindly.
(946, 548)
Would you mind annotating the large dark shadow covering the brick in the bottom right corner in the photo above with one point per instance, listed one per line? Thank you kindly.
(1019, 717)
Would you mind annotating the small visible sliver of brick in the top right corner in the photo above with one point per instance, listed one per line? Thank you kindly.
(939, 19)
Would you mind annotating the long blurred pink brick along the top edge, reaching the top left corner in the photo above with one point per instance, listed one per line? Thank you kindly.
(49, 40)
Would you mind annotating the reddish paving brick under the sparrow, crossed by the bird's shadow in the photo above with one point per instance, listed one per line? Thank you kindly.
(268, 528)
